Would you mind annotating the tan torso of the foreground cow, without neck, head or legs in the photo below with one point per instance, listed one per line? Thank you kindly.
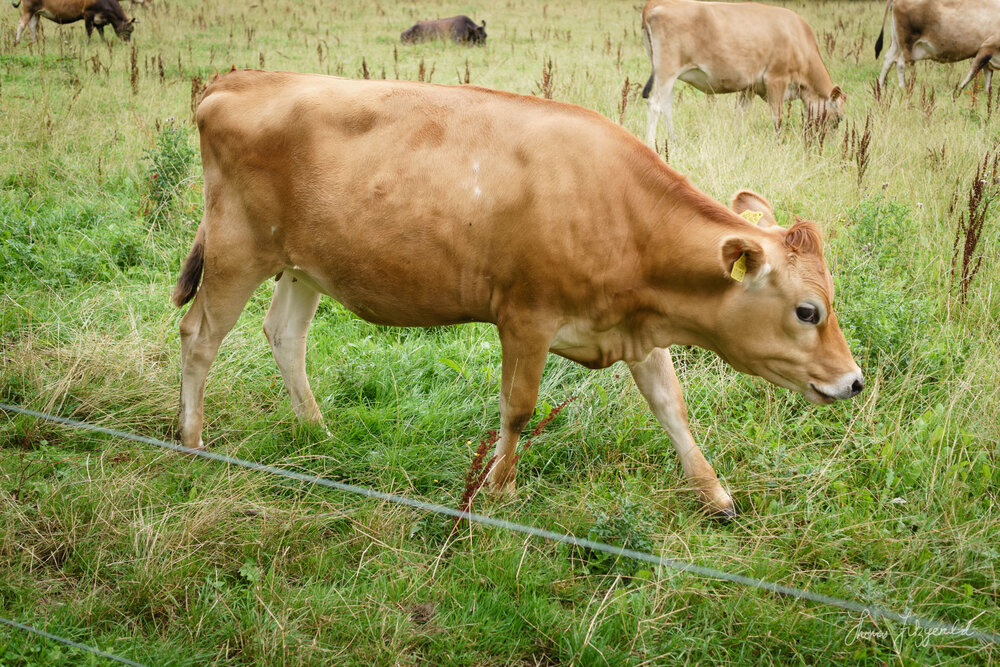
(412, 203)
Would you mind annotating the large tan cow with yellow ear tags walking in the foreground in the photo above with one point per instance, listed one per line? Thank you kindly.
(423, 205)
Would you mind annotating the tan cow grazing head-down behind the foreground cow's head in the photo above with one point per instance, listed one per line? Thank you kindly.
(742, 48)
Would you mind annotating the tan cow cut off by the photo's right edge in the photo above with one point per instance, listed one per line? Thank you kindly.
(945, 31)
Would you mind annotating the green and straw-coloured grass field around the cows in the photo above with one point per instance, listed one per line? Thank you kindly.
(888, 499)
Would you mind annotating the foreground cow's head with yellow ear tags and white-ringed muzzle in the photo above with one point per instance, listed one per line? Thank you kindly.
(778, 321)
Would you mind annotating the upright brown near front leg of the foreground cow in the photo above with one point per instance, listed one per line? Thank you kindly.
(524, 348)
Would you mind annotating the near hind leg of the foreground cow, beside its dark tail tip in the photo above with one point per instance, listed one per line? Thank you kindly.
(230, 276)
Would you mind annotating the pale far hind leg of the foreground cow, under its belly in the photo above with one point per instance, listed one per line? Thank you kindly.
(292, 310)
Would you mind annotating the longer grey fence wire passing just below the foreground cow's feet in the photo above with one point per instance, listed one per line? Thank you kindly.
(872, 611)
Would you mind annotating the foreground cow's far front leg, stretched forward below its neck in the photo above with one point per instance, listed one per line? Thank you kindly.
(657, 381)
